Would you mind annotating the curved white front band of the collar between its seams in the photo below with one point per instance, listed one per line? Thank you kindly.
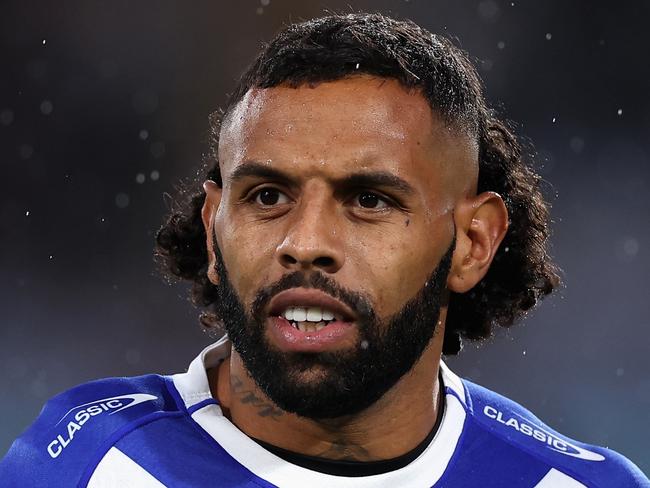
(426, 470)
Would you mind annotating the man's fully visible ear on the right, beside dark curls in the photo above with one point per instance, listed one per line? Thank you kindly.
(481, 224)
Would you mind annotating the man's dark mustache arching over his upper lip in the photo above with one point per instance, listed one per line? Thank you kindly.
(315, 280)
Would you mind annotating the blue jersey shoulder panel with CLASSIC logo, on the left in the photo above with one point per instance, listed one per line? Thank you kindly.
(75, 427)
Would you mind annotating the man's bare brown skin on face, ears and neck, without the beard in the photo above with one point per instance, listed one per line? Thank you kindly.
(317, 136)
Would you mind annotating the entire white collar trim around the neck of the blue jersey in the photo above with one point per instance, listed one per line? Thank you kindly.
(425, 470)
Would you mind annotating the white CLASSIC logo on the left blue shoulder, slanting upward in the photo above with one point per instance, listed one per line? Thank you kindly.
(78, 416)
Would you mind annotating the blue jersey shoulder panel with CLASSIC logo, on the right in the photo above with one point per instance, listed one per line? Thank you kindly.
(502, 418)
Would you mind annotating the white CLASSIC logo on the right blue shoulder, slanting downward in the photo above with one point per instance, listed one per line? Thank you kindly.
(536, 432)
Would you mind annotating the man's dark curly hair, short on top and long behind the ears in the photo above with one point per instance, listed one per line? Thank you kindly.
(338, 46)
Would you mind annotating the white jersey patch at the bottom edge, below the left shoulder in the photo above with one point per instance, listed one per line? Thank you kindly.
(117, 470)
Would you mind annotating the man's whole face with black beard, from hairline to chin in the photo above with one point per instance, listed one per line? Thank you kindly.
(337, 203)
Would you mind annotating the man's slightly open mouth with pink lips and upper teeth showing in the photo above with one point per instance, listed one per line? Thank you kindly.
(309, 320)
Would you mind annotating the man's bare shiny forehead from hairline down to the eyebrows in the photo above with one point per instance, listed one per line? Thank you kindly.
(362, 119)
